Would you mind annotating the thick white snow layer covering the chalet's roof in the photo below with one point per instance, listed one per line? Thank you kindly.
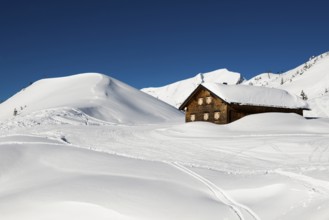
(256, 96)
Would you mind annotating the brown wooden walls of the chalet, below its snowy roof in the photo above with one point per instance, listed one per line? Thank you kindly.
(203, 105)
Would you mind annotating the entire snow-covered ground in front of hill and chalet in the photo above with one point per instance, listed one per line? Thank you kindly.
(57, 165)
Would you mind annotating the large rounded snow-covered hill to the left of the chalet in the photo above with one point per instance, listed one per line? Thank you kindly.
(94, 94)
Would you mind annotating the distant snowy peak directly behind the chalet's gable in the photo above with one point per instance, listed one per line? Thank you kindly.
(176, 93)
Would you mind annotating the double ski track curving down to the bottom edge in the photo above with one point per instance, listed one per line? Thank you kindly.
(218, 193)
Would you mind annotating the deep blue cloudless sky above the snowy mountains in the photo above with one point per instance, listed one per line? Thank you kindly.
(153, 43)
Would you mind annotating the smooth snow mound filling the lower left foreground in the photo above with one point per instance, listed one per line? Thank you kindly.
(53, 181)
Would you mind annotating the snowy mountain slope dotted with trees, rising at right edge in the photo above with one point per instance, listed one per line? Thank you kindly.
(312, 77)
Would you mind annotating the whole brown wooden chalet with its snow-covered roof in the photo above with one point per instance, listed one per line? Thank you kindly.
(222, 104)
